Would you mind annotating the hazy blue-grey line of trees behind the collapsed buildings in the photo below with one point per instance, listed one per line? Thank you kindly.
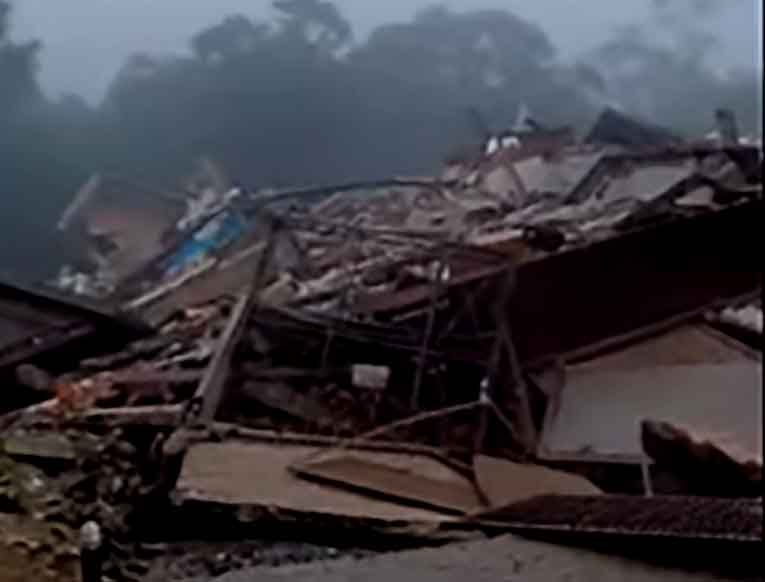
(299, 100)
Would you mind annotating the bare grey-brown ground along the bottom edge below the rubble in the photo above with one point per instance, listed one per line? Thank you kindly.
(508, 558)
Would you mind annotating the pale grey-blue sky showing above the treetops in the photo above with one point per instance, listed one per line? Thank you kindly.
(85, 41)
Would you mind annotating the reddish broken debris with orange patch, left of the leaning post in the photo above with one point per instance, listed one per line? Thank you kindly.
(152, 377)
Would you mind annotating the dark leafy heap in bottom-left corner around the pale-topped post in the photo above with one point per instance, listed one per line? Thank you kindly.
(99, 477)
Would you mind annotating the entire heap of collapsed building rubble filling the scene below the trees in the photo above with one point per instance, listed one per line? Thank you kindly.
(376, 365)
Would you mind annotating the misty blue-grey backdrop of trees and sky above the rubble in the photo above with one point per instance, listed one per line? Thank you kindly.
(299, 92)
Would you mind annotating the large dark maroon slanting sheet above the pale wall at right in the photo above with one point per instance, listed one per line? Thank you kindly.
(574, 299)
